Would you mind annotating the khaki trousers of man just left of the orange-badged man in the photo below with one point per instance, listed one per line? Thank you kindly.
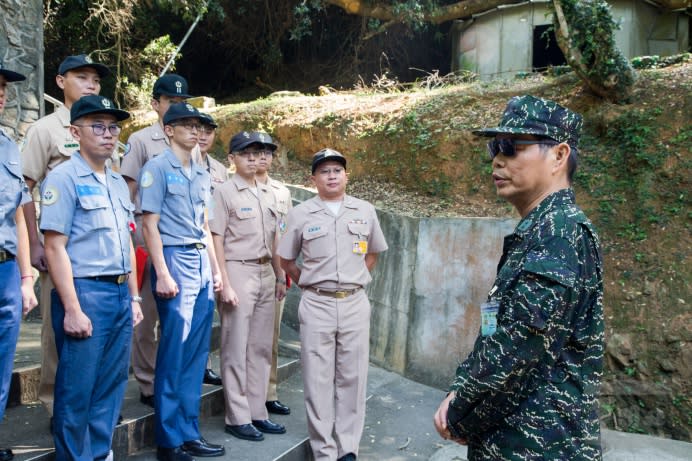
(246, 342)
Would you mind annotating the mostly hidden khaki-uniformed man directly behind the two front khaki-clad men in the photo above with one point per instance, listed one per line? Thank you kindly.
(283, 204)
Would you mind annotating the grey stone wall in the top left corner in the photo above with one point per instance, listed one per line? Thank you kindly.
(21, 49)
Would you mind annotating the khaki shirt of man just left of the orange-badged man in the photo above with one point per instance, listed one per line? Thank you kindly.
(248, 223)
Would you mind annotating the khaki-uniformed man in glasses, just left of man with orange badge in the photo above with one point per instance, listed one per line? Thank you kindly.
(244, 223)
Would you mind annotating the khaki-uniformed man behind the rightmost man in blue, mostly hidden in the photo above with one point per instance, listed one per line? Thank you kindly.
(142, 146)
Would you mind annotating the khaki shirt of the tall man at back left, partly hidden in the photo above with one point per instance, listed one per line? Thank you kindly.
(48, 143)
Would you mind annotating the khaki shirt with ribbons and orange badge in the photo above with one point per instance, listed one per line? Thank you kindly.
(333, 256)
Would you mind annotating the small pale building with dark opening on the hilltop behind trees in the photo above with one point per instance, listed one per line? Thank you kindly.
(518, 38)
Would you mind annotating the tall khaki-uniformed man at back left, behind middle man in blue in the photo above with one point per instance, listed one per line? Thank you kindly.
(48, 143)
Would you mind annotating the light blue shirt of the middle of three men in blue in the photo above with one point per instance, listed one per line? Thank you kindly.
(96, 217)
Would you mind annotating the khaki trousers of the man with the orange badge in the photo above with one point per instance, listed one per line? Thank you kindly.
(335, 346)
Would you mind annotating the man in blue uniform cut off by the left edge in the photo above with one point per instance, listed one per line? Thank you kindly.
(16, 279)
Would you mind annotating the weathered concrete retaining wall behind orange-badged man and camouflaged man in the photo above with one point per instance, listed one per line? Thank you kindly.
(426, 291)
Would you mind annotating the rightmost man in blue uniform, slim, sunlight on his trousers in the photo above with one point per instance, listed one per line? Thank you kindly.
(175, 194)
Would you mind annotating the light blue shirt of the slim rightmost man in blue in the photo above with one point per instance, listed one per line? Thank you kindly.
(165, 190)
